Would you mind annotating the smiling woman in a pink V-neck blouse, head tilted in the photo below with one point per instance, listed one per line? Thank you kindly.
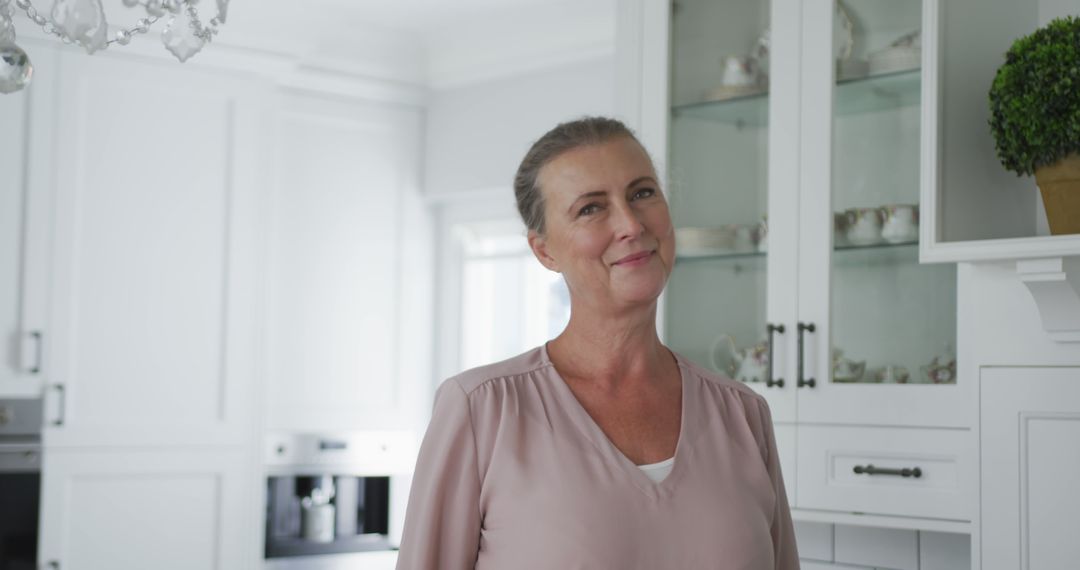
(602, 450)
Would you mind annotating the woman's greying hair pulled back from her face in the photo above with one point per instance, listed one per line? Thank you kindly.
(566, 137)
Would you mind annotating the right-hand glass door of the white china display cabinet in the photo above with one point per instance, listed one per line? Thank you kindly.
(892, 321)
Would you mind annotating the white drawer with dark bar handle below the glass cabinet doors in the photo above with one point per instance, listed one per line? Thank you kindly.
(829, 458)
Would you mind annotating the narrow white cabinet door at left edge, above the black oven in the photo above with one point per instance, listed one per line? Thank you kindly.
(25, 225)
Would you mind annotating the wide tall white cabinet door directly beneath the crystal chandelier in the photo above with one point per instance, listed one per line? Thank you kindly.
(154, 284)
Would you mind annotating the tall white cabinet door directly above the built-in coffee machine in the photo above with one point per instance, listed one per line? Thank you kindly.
(340, 198)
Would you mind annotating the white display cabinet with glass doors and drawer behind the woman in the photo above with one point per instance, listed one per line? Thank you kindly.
(792, 138)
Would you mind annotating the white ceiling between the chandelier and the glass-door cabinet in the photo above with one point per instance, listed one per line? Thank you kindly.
(436, 43)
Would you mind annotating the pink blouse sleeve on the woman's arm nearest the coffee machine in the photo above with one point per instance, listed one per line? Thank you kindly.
(443, 519)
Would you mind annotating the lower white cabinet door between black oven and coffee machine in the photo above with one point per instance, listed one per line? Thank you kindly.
(132, 510)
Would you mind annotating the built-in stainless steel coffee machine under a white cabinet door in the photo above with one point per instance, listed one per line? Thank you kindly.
(329, 497)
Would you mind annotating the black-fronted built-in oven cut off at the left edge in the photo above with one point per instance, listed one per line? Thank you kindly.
(20, 483)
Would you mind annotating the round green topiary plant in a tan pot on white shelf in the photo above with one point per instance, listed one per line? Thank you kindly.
(1035, 116)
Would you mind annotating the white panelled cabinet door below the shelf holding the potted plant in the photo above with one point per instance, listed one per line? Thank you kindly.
(1030, 428)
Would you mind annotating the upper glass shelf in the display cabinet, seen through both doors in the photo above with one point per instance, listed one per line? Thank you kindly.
(880, 92)
